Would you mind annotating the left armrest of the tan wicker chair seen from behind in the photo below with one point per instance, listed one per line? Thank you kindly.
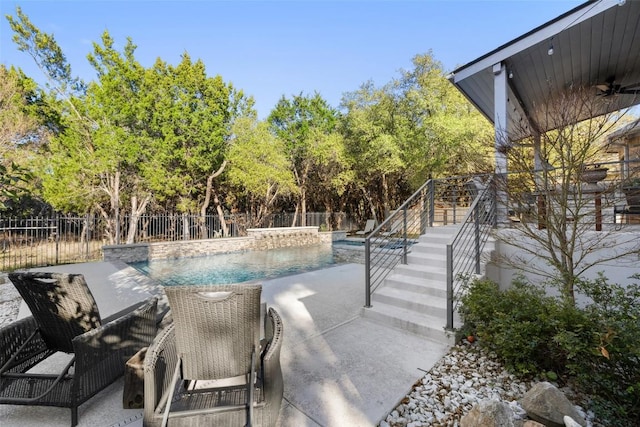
(159, 363)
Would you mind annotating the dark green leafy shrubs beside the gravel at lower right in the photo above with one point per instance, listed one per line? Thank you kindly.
(596, 346)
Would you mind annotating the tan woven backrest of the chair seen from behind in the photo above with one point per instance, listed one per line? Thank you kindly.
(217, 328)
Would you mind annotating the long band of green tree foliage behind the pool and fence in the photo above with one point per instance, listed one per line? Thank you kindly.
(137, 137)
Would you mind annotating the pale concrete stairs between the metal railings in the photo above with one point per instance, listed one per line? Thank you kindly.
(414, 296)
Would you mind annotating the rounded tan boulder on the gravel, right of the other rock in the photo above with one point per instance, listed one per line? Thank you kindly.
(548, 405)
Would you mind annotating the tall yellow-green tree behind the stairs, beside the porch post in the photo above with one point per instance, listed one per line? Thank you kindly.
(415, 127)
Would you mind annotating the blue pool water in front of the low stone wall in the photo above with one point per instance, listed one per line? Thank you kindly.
(238, 266)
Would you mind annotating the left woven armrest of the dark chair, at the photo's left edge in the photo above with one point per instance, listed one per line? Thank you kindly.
(14, 335)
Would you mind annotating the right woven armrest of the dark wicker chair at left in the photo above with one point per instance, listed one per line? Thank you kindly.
(101, 353)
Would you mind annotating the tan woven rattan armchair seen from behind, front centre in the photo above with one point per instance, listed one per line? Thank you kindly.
(211, 363)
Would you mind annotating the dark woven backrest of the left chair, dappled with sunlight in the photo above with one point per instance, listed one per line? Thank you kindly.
(61, 304)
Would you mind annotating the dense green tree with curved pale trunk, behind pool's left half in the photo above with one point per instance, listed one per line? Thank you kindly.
(190, 119)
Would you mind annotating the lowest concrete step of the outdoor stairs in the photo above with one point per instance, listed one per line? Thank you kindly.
(411, 321)
